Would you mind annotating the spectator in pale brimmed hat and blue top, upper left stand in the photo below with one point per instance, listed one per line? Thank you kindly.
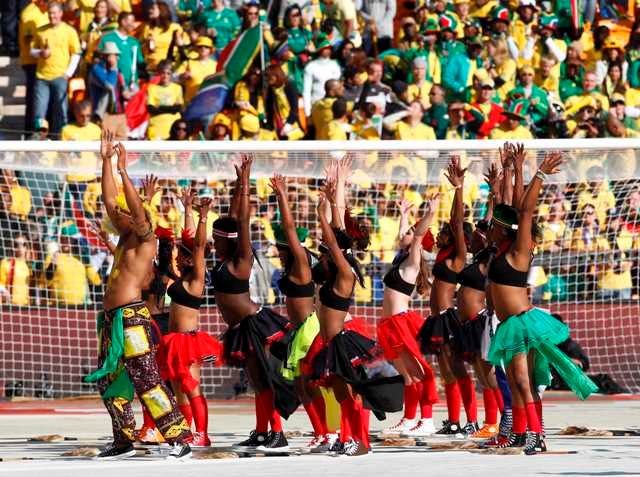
(106, 84)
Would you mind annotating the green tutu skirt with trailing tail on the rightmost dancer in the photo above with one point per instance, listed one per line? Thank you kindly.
(538, 330)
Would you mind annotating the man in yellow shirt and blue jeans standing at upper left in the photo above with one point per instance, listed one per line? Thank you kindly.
(57, 48)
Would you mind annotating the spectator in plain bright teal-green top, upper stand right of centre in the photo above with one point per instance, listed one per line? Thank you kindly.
(458, 75)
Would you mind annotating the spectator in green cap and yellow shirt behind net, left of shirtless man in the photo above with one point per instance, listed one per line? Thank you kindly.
(67, 276)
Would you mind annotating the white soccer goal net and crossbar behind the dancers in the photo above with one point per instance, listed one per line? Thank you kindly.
(53, 265)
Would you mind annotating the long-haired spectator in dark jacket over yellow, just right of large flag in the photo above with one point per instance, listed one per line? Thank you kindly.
(281, 105)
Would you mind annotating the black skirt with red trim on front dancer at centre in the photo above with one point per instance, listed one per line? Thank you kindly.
(344, 356)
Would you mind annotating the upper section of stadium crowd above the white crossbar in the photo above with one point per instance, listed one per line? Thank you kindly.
(331, 69)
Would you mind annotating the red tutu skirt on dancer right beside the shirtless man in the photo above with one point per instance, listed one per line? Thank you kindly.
(180, 350)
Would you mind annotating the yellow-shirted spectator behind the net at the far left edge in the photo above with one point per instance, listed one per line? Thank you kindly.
(15, 273)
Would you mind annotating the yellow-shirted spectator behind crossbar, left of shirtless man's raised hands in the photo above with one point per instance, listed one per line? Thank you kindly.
(84, 164)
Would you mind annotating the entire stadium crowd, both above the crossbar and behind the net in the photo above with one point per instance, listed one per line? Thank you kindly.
(333, 69)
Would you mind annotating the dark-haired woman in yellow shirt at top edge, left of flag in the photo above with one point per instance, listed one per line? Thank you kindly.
(159, 34)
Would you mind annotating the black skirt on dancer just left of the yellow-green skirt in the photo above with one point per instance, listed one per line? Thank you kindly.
(265, 327)
